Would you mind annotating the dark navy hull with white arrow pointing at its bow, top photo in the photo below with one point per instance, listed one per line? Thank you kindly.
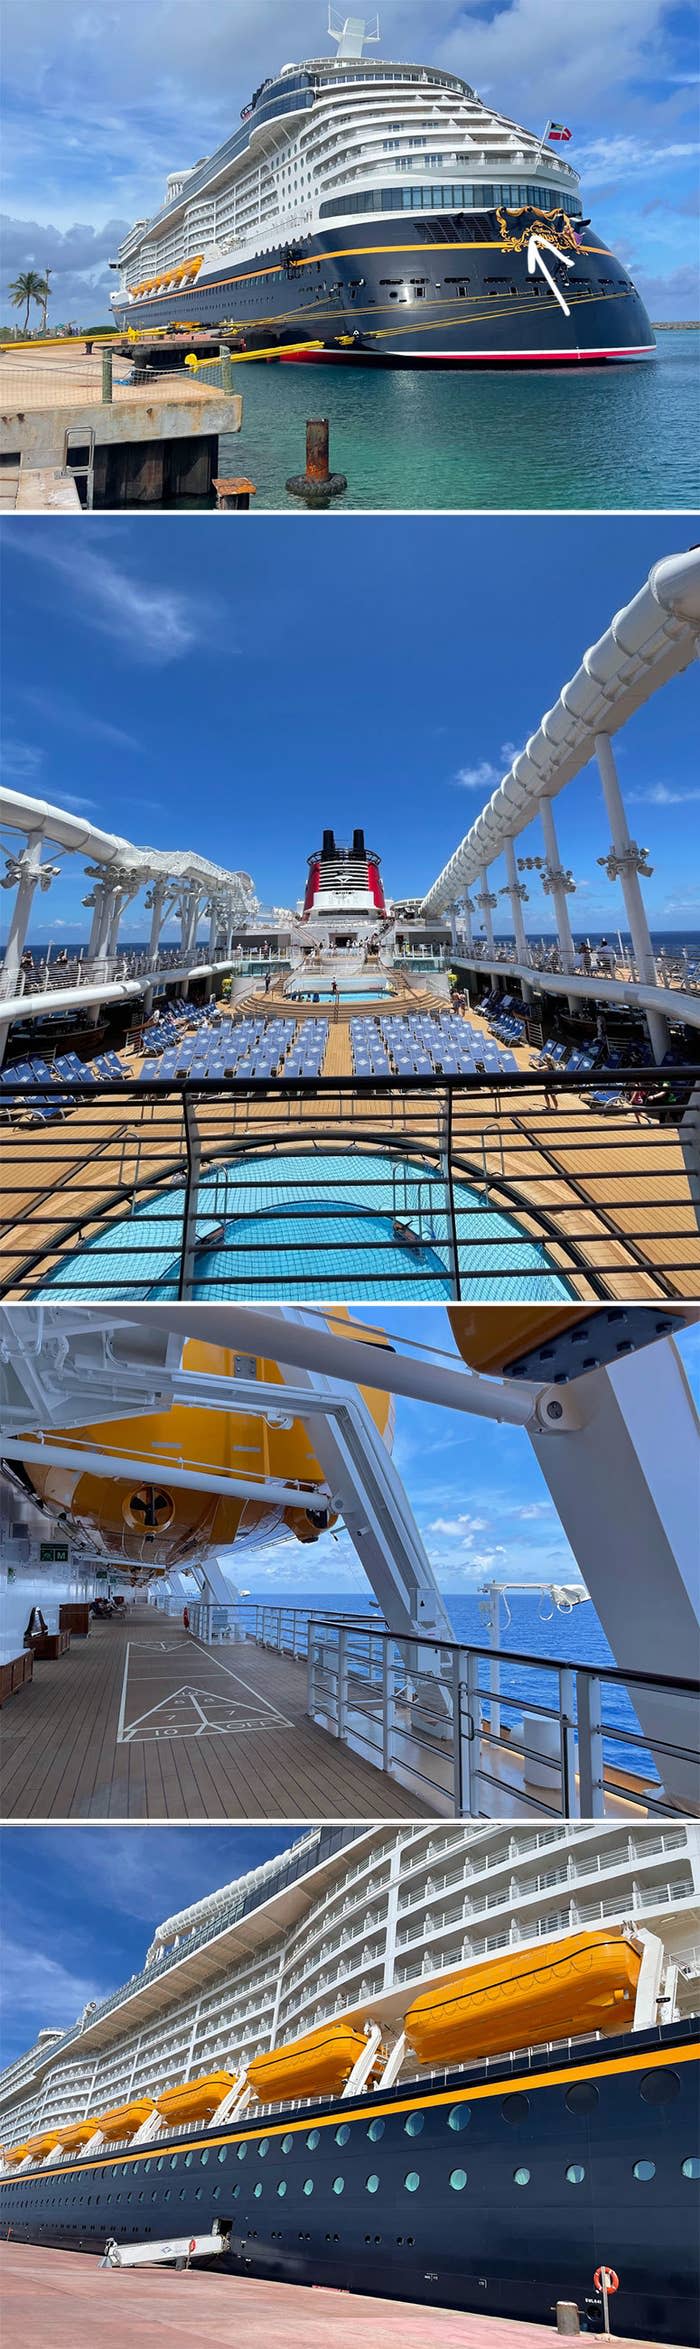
(443, 290)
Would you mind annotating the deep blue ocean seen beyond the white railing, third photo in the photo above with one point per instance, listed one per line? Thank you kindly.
(534, 1629)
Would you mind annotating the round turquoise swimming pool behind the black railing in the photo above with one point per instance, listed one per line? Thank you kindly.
(295, 1225)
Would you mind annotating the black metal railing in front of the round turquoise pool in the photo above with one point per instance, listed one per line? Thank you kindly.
(595, 1197)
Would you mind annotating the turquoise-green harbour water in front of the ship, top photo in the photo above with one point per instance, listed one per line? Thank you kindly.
(603, 438)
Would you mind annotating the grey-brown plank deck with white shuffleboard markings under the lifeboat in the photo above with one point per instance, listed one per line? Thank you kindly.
(142, 1723)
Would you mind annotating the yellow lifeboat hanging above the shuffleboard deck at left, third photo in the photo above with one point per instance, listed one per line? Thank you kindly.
(154, 1526)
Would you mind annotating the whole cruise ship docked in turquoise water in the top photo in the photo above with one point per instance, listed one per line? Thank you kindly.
(384, 215)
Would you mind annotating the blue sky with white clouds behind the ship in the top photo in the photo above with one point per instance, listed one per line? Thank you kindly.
(107, 97)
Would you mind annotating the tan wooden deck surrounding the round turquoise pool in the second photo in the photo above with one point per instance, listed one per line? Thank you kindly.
(614, 1187)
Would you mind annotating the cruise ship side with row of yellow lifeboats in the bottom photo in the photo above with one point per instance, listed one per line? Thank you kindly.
(445, 2064)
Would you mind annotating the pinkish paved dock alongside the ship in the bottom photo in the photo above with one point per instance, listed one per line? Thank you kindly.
(67, 2298)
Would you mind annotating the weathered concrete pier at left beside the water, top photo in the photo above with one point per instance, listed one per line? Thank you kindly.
(81, 419)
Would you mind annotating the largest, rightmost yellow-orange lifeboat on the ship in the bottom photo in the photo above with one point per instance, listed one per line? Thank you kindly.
(567, 1988)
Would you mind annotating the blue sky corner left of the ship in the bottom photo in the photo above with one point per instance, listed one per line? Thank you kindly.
(105, 1892)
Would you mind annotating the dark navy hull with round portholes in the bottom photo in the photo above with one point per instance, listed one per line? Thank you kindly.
(497, 2190)
